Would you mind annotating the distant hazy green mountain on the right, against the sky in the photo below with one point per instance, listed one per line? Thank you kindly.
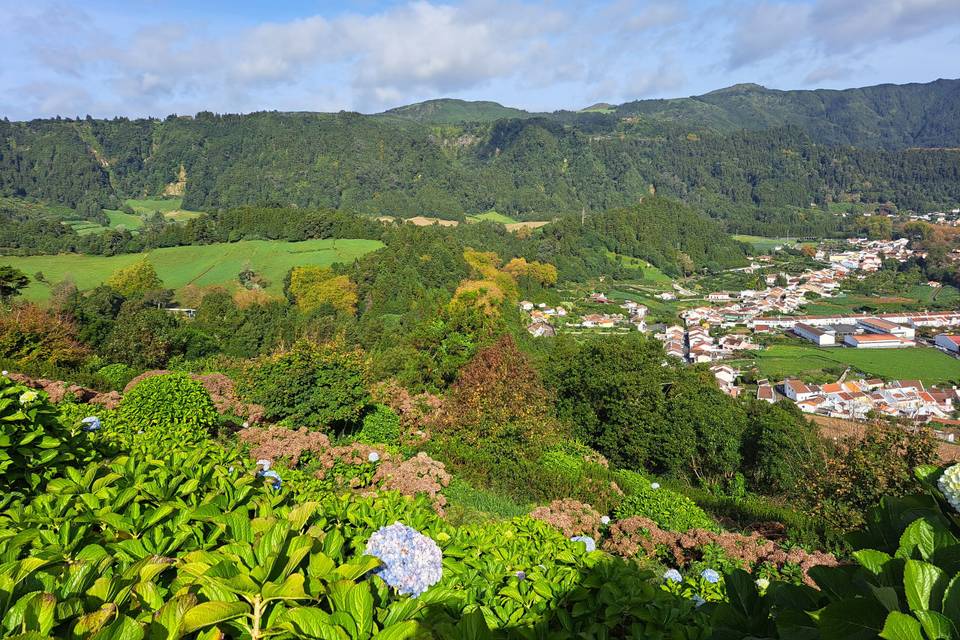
(888, 115)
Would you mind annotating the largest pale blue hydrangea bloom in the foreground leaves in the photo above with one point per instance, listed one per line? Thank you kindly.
(411, 562)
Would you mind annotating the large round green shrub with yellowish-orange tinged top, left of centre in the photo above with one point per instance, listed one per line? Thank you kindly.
(313, 385)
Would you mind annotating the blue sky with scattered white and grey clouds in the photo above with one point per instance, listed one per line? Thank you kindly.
(154, 58)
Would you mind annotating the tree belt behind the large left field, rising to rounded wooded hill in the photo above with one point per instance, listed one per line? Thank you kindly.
(668, 234)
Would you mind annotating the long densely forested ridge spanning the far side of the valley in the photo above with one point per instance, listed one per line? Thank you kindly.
(530, 168)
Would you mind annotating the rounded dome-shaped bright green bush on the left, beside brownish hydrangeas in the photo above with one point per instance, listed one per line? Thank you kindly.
(169, 405)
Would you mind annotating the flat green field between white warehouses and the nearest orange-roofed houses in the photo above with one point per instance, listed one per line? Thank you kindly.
(803, 361)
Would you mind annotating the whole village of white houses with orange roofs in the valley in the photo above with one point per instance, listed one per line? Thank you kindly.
(733, 322)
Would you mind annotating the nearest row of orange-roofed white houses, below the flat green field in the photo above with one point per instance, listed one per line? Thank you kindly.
(855, 399)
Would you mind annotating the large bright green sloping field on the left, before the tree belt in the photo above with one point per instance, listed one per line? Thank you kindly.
(200, 265)
